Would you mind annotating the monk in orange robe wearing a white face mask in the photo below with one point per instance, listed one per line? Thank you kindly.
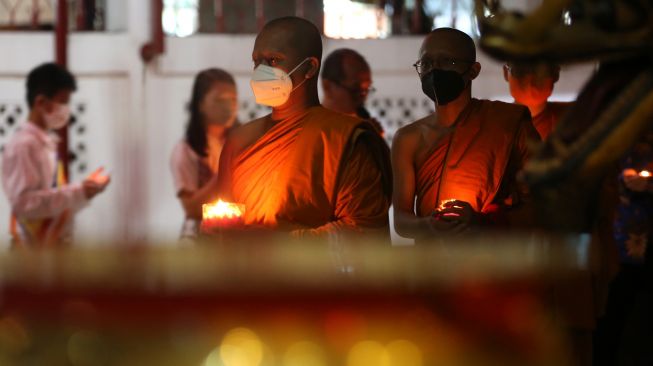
(303, 168)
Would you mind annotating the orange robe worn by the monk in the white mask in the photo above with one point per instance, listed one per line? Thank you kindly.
(319, 171)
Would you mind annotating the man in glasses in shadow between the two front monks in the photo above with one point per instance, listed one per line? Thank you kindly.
(347, 82)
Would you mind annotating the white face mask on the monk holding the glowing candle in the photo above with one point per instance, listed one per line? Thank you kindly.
(272, 86)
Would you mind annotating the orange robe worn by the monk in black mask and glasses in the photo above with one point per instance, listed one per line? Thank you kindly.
(483, 155)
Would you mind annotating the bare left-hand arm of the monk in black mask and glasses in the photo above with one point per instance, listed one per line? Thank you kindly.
(407, 223)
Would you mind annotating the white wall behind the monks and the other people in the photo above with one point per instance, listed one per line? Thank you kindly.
(136, 112)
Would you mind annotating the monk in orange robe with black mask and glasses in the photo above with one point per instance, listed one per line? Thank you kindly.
(457, 167)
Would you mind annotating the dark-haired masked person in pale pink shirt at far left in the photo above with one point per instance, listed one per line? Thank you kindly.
(42, 203)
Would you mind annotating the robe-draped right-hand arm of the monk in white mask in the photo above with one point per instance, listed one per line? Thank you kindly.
(361, 202)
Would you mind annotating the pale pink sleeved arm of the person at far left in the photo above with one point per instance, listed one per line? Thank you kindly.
(21, 178)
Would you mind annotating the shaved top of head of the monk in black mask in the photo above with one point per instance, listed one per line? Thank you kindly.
(451, 42)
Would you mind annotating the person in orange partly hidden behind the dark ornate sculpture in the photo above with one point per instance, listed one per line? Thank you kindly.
(531, 84)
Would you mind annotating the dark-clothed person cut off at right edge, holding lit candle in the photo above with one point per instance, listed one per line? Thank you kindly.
(624, 333)
